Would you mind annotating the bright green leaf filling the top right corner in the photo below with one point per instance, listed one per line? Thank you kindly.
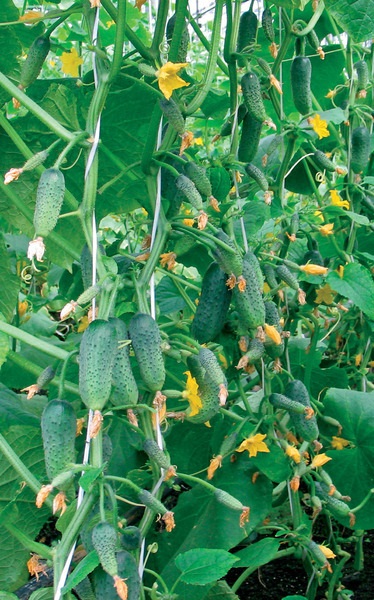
(355, 17)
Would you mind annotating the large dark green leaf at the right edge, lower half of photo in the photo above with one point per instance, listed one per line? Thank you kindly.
(352, 469)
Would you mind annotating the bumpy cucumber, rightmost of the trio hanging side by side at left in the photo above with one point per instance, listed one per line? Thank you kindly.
(146, 341)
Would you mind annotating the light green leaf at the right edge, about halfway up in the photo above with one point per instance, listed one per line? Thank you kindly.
(357, 285)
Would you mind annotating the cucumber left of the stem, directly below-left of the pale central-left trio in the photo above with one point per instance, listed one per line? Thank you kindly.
(58, 424)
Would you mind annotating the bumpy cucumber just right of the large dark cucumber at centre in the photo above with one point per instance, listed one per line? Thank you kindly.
(249, 303)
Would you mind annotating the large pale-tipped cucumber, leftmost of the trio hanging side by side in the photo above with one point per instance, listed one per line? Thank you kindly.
(96, 359)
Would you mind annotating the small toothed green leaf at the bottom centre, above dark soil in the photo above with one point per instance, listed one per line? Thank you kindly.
(204, 565)
